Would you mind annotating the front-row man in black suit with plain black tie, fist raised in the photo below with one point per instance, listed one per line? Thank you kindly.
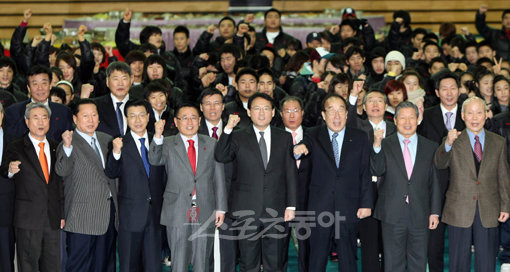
(263, 190)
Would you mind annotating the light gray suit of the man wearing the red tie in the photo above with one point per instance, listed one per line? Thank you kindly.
(210, 192)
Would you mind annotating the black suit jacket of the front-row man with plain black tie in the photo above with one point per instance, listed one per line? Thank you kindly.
(254, 188)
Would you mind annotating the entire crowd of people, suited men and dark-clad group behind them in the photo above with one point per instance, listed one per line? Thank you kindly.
(345, 141)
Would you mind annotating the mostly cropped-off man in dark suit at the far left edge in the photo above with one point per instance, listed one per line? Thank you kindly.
(7, 195)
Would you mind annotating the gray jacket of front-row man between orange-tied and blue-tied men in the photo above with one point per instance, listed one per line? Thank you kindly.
(86, 186)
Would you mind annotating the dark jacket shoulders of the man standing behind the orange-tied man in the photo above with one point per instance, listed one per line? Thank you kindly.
(61, 120)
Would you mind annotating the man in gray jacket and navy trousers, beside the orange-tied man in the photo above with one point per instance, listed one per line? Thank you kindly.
(90, 195)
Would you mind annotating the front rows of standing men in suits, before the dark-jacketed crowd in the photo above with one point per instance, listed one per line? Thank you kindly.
(92, 184)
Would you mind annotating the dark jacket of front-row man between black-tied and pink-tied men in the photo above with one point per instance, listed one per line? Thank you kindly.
(344, 189)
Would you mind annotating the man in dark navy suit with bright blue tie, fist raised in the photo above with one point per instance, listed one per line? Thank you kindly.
(141, 187)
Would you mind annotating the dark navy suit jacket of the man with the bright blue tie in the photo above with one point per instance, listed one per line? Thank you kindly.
(137, 192)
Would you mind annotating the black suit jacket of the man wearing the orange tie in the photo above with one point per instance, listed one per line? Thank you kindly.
(35, 199)
